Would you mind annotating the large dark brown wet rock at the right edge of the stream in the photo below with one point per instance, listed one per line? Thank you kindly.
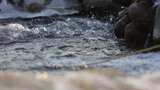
(137, 24)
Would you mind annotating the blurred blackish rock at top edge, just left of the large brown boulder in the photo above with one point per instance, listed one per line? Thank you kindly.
(100, 7)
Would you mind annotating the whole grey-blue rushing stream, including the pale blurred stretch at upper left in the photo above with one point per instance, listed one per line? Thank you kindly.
(65, 43)
